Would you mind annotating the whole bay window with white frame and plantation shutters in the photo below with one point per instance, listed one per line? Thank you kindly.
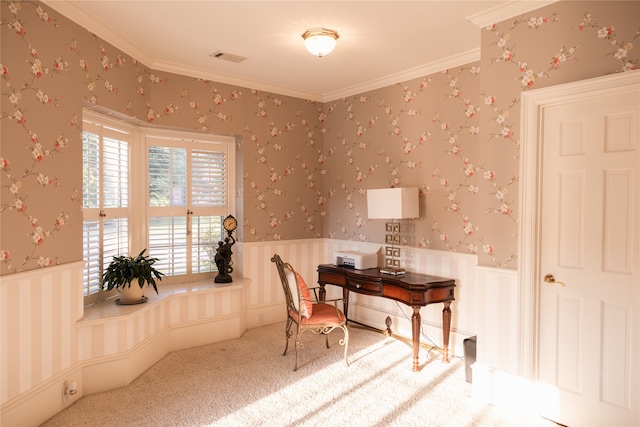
(167, 191)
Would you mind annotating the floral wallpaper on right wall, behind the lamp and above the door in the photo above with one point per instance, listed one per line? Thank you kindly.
(455, 134)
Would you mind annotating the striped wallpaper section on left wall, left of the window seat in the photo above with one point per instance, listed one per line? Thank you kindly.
(38, 311)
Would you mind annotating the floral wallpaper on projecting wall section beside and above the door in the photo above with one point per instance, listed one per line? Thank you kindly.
(563, 42)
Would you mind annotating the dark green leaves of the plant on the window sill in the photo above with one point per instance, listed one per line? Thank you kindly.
(125, 269)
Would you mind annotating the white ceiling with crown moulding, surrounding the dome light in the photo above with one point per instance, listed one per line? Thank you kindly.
(381, 42)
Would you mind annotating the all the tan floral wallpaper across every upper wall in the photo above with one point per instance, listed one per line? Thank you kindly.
(304, 166)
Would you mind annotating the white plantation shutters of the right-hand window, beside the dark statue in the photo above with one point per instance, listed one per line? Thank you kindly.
(188, 197)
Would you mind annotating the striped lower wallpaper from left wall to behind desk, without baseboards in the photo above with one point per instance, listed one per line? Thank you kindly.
(43, 332)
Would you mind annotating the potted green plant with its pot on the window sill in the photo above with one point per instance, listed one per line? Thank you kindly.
(124, 270)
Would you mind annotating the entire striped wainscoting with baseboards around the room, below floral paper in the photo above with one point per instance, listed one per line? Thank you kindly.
(48, 337)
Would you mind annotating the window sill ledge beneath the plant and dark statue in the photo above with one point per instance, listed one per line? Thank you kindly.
(108, 309)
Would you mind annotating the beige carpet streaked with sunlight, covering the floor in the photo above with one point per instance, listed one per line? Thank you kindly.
(247, 382)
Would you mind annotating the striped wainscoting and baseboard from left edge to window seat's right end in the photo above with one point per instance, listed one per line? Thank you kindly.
(48, 337)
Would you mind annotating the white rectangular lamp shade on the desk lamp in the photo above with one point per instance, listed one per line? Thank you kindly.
(393, 203)
